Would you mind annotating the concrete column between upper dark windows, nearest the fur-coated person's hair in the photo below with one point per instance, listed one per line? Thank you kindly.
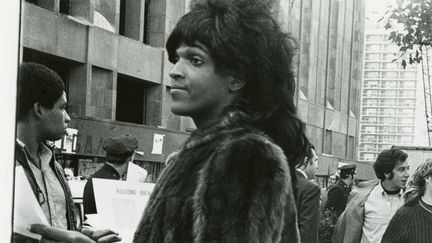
(134, 19)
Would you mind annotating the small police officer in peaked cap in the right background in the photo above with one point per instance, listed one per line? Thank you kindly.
(339, 192)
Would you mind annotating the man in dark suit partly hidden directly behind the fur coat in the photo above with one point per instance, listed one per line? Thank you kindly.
(307, 198)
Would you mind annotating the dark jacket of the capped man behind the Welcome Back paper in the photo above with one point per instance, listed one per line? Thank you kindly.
(106, 172)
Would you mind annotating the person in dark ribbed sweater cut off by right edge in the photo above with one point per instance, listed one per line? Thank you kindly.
(413, 222)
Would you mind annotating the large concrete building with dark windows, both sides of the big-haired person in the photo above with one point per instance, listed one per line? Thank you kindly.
(110, 53)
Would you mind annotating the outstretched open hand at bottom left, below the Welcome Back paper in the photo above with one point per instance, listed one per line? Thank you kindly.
(51, 234)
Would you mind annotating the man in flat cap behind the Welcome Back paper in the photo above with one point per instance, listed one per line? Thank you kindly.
(119, 152)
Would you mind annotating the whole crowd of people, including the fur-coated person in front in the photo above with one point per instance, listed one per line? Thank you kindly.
(245, 174)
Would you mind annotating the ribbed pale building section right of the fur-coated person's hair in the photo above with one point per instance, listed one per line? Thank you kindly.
(330, 37)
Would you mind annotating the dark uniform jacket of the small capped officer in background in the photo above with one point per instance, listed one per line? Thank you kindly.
(337, 197)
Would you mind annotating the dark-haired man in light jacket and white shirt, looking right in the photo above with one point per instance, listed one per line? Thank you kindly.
(371, 207)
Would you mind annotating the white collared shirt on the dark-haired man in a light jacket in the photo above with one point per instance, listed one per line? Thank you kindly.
(379, 209)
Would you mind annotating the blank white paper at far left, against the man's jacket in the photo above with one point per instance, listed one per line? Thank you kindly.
(27, 210)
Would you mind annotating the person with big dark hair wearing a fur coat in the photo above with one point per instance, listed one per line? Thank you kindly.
(232, 179)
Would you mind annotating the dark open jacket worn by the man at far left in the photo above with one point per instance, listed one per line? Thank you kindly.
(21, 160)
